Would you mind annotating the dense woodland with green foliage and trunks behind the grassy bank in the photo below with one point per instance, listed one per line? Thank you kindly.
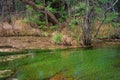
(89, 15)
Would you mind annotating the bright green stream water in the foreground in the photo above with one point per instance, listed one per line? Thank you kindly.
(74, 64)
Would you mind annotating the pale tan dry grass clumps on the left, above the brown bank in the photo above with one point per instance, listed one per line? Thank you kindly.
(17, 28)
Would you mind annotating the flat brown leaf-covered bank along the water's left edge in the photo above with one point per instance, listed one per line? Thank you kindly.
(9, 44)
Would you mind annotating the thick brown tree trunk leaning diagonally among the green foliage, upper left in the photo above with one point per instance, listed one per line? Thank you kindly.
(51, 17)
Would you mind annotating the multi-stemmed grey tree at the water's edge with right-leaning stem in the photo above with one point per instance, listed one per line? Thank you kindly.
(92, 11)
